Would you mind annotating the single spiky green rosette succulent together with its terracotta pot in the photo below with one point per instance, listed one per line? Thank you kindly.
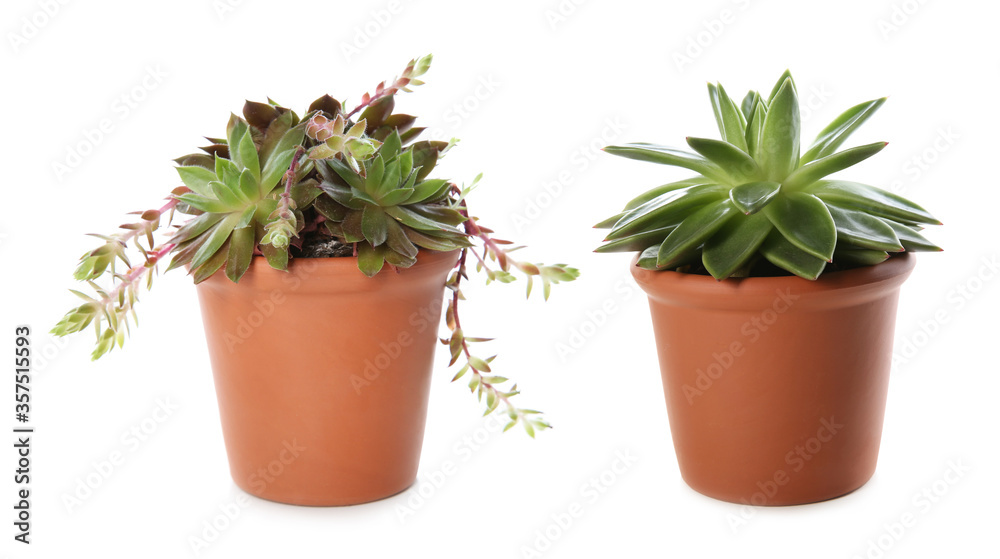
(773, 292)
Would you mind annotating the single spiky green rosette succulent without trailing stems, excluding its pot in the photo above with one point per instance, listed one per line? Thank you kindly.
(760, 207)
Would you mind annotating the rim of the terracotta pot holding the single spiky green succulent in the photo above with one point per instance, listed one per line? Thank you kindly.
(839, 288)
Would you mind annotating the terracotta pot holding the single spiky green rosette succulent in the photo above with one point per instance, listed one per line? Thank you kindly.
(776, 386)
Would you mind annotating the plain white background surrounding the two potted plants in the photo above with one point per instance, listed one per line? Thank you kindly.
(560, 86)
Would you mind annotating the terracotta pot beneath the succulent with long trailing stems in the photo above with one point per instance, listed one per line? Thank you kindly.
(323, 374)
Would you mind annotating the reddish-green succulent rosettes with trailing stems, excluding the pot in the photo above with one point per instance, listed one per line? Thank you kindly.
(278, 183)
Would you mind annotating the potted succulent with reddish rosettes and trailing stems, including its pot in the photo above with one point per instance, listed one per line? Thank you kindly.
(322, 249)
